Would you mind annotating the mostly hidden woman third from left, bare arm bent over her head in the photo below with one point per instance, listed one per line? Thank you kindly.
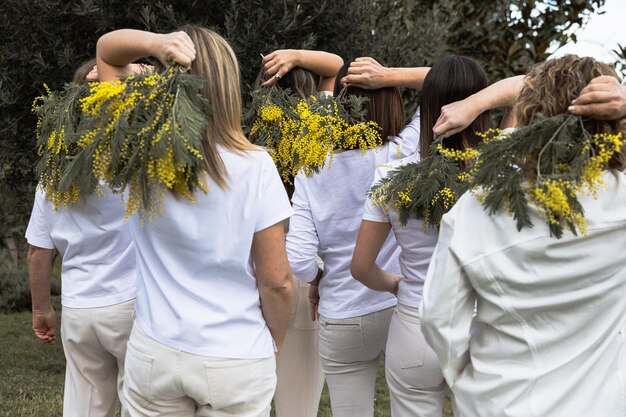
(300, 377)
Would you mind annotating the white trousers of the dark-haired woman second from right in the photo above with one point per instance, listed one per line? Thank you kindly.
(416, 384)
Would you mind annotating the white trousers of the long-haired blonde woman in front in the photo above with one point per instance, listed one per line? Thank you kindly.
(166, 382)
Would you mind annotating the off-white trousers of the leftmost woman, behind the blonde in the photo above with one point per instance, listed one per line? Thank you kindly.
(94, 341)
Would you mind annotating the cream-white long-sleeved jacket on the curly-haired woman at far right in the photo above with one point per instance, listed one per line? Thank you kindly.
(549, 337)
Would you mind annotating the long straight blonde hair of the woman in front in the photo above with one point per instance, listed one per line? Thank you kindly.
(216, 61)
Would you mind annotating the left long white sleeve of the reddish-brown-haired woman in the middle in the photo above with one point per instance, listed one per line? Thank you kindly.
(302, 239)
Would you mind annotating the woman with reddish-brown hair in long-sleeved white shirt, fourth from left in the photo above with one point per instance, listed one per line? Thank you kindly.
(354, 320)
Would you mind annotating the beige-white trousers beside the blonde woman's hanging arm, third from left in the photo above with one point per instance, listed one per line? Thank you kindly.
(298, 367)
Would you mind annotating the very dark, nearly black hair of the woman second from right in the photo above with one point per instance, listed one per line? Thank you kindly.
(451, 79)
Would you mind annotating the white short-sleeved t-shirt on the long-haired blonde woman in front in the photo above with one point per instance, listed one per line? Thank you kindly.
(198, 291)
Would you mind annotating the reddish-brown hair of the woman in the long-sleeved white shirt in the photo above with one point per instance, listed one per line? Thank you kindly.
(384, 105)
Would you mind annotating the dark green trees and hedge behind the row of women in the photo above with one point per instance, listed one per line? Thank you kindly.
(46, 40)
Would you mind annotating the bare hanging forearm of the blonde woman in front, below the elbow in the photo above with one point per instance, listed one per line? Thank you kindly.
(276, 308)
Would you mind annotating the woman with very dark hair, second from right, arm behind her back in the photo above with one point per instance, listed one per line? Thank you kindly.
(416, 385)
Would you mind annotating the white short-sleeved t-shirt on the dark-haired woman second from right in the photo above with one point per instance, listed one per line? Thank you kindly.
(417, 245)
